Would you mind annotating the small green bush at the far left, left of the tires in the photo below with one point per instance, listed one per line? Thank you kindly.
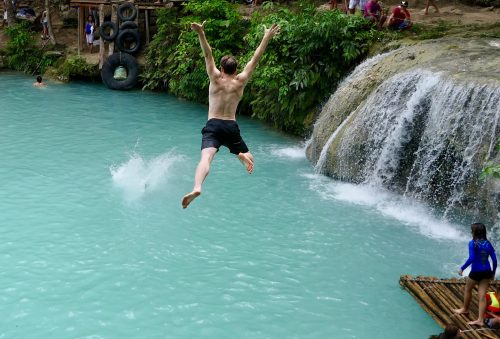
(21, 51)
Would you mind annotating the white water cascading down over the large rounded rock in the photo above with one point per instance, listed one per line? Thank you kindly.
(420, 132)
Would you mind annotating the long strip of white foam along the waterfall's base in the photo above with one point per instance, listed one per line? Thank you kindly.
(406, 210)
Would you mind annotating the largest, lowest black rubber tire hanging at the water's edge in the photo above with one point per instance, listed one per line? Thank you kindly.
(108, 71)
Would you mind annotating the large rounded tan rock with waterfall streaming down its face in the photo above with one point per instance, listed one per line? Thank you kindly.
(421, 120)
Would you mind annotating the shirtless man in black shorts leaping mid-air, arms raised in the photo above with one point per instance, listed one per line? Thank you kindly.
(224, 94)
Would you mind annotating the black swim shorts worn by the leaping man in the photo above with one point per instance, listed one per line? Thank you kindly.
(219, 132)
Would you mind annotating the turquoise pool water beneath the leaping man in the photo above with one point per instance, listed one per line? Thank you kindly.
(95, 243)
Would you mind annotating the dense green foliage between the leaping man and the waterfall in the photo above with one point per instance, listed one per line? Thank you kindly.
(302, 65)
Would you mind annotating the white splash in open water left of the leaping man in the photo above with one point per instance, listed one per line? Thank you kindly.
(138, 176)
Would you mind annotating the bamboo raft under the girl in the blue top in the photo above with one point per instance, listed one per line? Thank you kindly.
(439, 297)
